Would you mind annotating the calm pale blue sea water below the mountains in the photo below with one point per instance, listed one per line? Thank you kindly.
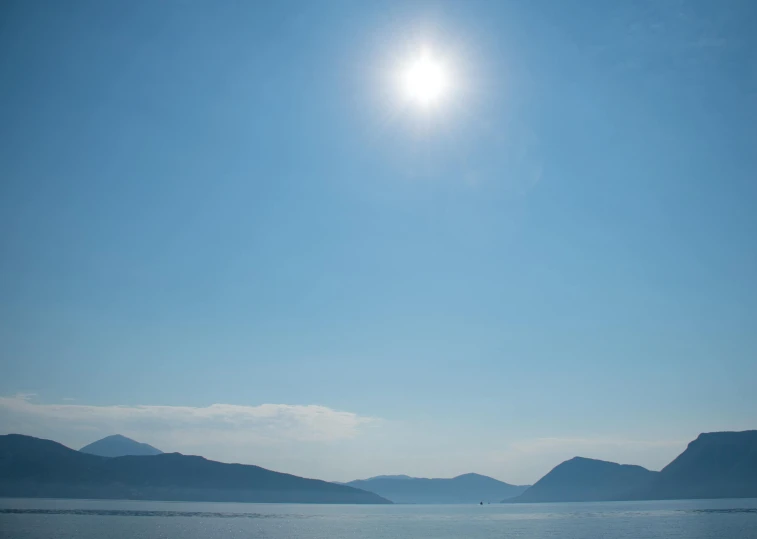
(92, 519)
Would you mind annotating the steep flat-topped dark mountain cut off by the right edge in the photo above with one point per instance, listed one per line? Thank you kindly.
(715, 465)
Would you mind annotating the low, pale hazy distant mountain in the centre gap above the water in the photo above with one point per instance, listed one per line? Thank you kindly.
(468, 488)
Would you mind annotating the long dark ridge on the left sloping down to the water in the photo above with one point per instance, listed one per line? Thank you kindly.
(32, 467)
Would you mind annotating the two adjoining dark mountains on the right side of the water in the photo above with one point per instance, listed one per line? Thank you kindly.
(715, 465)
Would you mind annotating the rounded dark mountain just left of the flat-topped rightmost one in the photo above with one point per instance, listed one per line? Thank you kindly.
(582, 480)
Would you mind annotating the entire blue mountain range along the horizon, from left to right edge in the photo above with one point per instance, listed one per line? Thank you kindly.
(715, 465)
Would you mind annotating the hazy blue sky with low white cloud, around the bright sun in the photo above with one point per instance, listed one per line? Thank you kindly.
(224, 231)
